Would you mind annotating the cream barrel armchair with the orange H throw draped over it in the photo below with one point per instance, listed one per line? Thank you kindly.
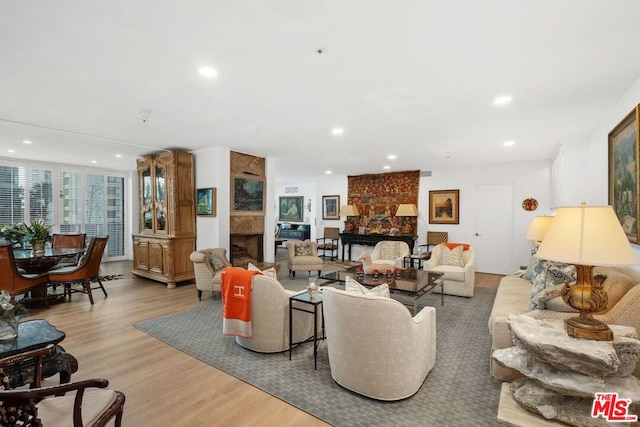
(270, 317)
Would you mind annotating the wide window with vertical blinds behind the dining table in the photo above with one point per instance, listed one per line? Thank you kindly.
(87, 201)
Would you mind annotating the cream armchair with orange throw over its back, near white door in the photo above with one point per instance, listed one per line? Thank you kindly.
(456, 261)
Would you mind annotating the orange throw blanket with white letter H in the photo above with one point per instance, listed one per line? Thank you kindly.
(236, 301)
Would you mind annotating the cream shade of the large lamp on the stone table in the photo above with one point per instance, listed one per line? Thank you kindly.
(586, 235)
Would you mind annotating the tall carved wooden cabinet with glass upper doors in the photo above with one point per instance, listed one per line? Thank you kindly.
(166, 238)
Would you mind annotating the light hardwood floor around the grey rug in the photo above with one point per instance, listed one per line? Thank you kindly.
(163, 386)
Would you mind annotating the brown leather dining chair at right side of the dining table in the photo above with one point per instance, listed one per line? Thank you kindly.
(87, 270)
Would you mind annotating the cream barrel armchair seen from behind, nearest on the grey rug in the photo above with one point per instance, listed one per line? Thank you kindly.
(384, 353)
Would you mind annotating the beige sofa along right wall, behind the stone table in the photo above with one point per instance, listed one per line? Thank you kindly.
(514, 295)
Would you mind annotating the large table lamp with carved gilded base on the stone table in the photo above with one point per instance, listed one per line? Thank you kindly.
(586, 236)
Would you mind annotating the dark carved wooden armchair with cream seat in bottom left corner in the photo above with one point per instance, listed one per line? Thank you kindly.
(82, 403)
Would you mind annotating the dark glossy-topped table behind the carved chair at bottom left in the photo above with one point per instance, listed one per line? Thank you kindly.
(32, 335)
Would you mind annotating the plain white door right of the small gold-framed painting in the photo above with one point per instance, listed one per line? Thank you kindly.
(493, 234)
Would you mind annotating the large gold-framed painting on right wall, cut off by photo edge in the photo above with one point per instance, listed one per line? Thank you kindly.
(623, 173)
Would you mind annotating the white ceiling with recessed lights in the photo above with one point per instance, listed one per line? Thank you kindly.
(415, 78)
